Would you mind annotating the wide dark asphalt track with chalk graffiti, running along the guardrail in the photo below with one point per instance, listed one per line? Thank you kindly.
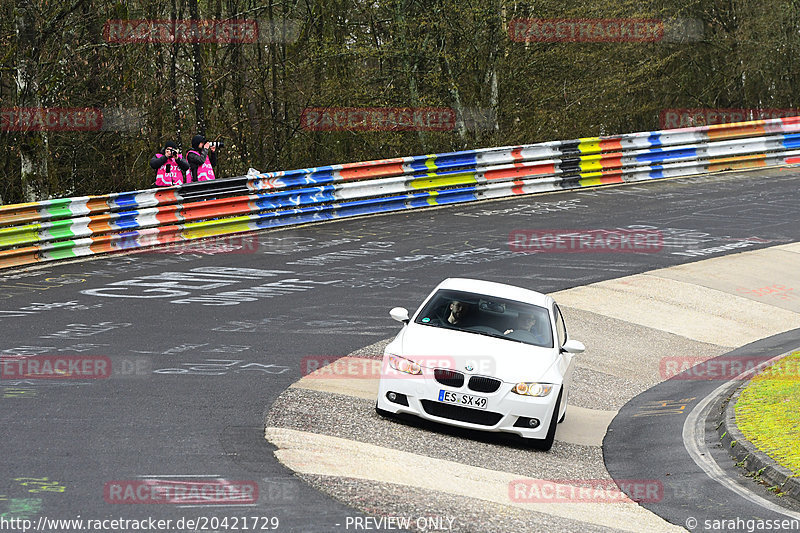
(198, 362)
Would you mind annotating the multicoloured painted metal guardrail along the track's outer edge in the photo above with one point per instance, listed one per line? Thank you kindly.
(75, 227)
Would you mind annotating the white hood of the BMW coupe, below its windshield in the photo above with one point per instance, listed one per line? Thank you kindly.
(507, 360)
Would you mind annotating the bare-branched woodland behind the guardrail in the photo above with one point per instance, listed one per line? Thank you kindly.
(454, 54)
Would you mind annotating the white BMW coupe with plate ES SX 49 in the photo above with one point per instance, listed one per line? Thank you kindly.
(484, 356)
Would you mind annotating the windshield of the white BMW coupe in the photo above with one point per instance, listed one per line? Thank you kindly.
(487, 315)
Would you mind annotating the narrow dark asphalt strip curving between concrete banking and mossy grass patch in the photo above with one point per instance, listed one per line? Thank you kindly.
(693, 498)
